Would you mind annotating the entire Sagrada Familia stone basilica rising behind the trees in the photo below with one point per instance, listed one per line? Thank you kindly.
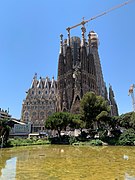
(79, 71)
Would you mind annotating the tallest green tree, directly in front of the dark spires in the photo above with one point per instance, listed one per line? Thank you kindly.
(94, 110)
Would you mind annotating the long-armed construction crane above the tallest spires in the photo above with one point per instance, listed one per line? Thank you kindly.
(99, 15)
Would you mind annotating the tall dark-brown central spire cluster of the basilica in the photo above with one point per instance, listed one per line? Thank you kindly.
(79, 71)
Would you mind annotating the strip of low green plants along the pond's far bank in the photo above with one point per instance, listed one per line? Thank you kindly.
(127, 138)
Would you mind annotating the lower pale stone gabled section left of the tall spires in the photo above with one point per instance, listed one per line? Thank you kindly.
(40, 102)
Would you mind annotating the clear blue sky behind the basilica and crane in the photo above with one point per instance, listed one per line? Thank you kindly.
(29, 44)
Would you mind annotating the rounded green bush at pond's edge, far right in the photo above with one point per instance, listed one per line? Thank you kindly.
(127, 137)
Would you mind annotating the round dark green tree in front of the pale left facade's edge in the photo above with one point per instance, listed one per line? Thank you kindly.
(58, 121)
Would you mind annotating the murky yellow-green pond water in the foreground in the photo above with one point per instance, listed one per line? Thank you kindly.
(67, 163)
